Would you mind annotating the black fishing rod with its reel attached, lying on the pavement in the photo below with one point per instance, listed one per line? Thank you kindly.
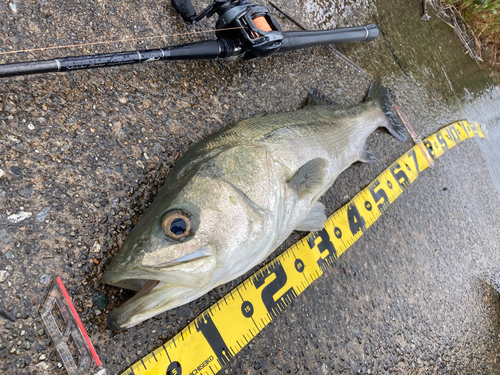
(242, 28)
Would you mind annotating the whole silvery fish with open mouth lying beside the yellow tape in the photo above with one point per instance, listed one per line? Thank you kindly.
(234, 197)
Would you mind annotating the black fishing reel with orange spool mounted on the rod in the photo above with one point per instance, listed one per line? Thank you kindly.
(251, 27)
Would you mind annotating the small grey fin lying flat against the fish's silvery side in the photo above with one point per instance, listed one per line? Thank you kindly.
(310, 178)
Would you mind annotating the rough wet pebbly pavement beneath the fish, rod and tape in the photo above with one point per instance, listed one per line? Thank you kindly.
(83, 154)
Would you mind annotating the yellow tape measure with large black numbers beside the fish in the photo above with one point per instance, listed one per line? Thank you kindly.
(220, 332)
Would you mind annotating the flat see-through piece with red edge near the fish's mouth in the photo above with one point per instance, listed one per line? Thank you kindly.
(67, 332)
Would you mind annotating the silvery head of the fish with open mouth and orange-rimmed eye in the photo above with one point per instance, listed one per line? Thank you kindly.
(183, 247)
